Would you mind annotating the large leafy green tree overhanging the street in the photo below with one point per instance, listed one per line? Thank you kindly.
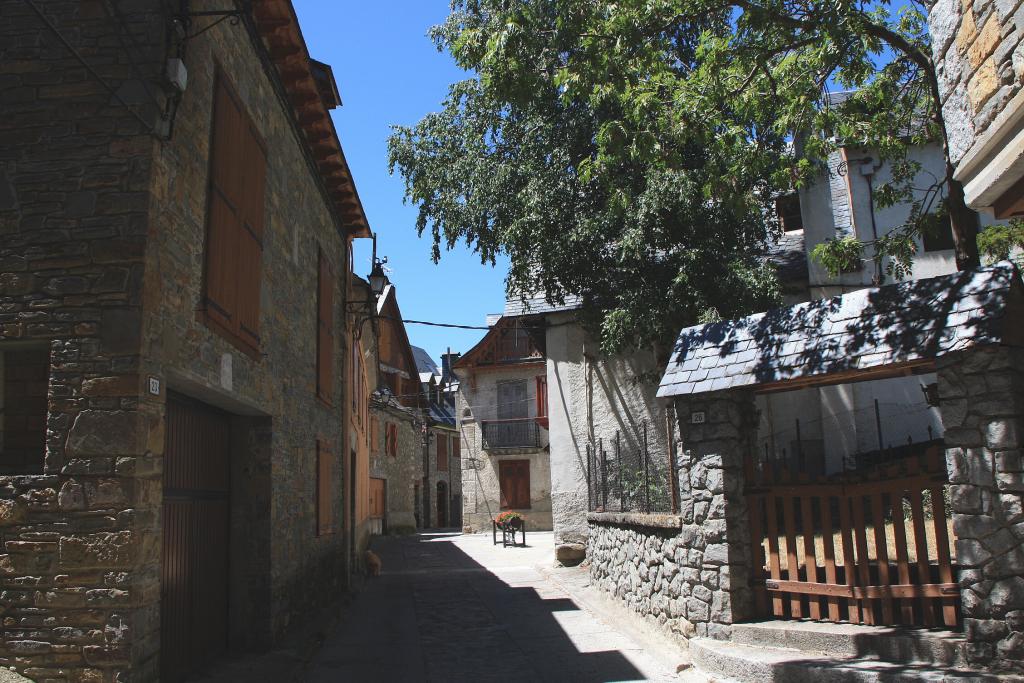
(630, 151)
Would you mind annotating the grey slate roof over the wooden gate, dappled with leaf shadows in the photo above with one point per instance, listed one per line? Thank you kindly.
(872, 328)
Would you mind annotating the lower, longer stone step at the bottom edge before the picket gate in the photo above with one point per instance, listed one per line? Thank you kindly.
(720, 661)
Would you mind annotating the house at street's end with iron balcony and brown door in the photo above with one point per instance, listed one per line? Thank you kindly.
(502, 416)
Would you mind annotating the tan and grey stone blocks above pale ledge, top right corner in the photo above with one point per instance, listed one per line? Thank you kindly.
(980, 65)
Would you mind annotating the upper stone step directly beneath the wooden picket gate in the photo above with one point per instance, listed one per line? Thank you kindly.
(899, 646)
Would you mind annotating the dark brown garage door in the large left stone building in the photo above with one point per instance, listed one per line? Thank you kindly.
(194, 575)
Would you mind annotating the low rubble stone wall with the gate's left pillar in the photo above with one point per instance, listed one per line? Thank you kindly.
(690, 573)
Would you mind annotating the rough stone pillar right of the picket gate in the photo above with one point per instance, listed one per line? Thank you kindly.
(983, 400)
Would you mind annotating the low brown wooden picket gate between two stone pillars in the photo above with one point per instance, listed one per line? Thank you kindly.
(875, 545)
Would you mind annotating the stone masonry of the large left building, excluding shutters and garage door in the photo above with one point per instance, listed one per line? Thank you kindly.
(102, 236)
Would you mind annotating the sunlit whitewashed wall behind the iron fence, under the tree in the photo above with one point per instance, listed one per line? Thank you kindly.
(591, 397)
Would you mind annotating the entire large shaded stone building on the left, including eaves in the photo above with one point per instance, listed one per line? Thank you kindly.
(176, 219)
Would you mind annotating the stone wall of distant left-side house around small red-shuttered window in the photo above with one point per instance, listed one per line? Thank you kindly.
(404, 472)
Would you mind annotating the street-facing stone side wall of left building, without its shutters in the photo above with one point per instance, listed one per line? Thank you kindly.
(309, 570)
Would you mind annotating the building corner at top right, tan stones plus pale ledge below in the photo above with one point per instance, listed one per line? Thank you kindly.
(979, 61)
